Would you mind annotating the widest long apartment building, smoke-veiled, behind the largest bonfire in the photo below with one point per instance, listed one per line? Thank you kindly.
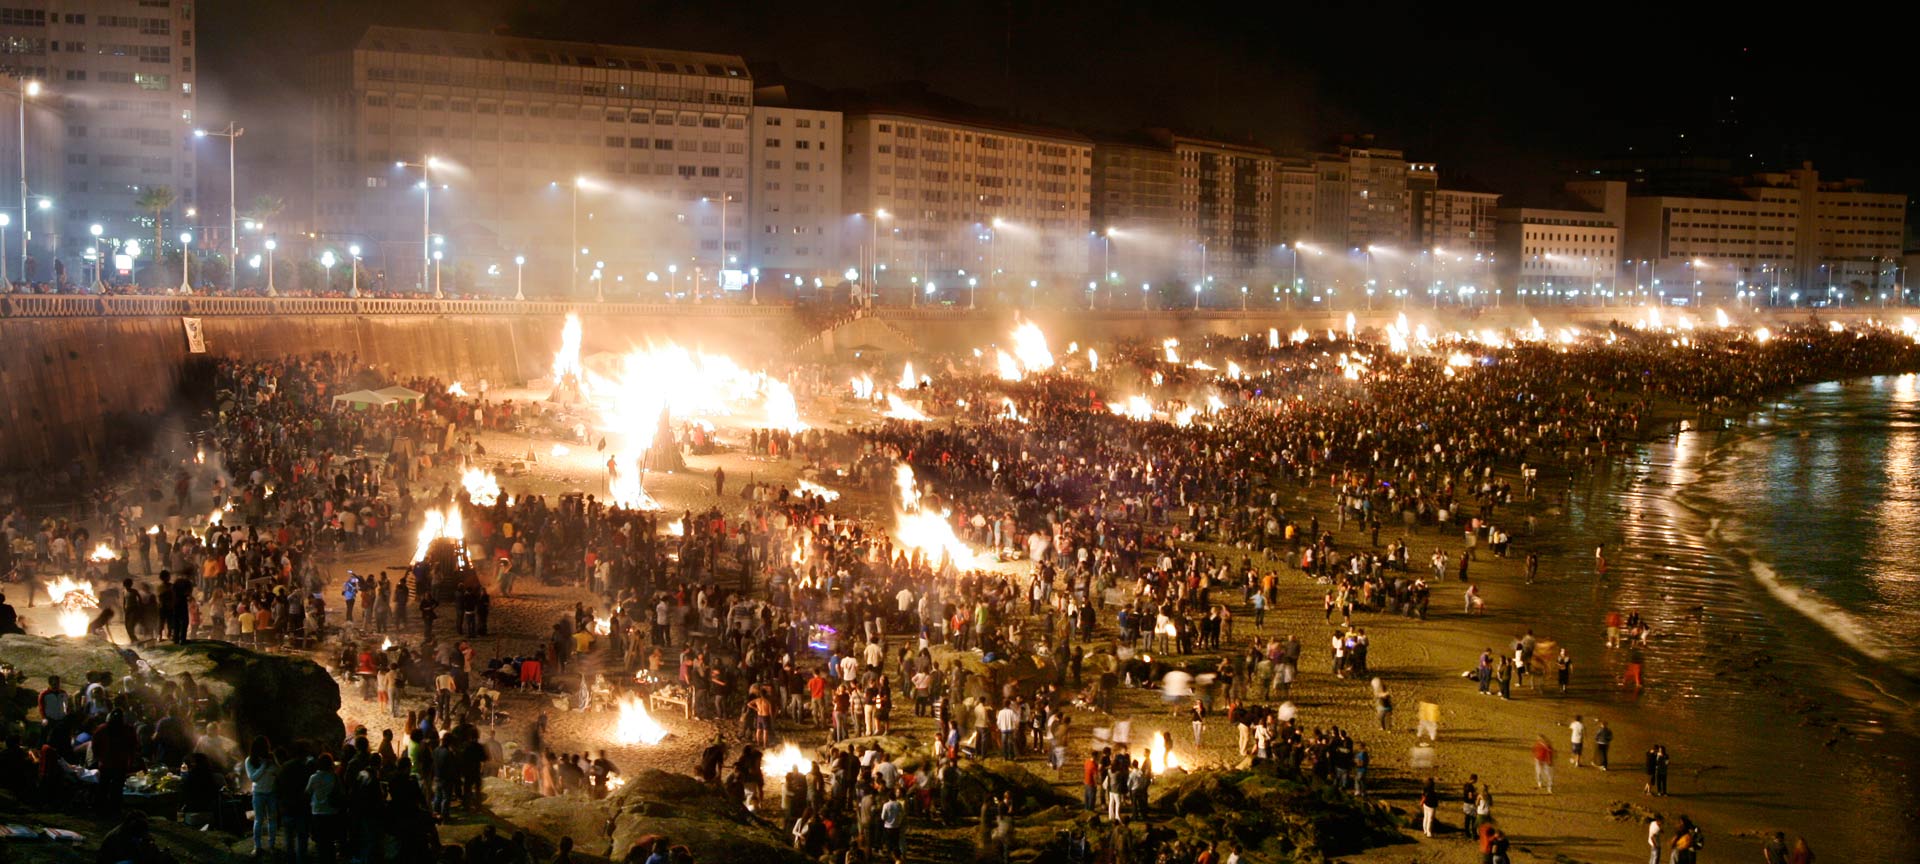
(537, 149)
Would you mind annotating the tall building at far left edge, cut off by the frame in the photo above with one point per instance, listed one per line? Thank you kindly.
(114, 118)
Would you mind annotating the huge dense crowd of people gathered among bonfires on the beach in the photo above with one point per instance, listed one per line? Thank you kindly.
(780, 613)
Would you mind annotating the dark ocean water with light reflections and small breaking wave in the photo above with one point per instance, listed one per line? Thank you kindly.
(1777, 560)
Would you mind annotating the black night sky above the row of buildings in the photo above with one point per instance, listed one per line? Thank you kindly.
(1495, 95)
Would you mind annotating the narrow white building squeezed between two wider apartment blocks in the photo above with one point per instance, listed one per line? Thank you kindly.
(794, 231)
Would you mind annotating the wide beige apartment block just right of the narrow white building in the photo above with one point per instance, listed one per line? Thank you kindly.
(1009, 204)
